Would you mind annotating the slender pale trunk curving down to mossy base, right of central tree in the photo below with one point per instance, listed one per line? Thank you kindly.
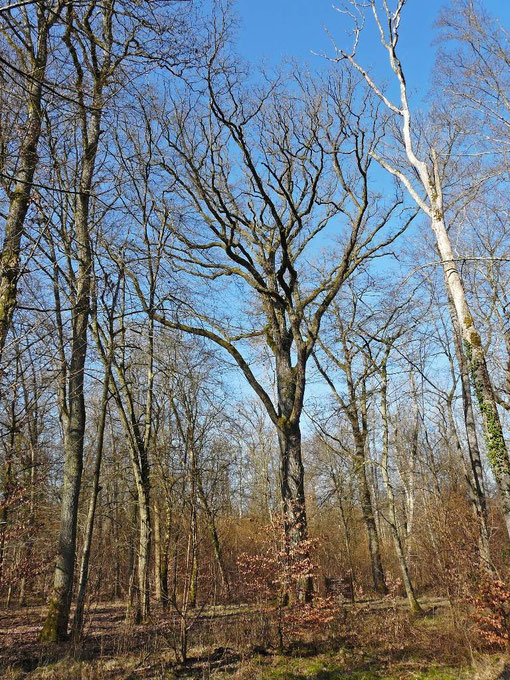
(392, 514)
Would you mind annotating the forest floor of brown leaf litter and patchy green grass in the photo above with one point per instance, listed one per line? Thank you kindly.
(388, 644)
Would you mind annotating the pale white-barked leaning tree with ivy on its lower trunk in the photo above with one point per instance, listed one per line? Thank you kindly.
(421, 172)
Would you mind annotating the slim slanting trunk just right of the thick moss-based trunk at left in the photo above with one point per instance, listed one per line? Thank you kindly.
(89, 527)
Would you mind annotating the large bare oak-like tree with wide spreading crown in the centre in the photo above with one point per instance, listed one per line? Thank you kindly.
(256, 182)
